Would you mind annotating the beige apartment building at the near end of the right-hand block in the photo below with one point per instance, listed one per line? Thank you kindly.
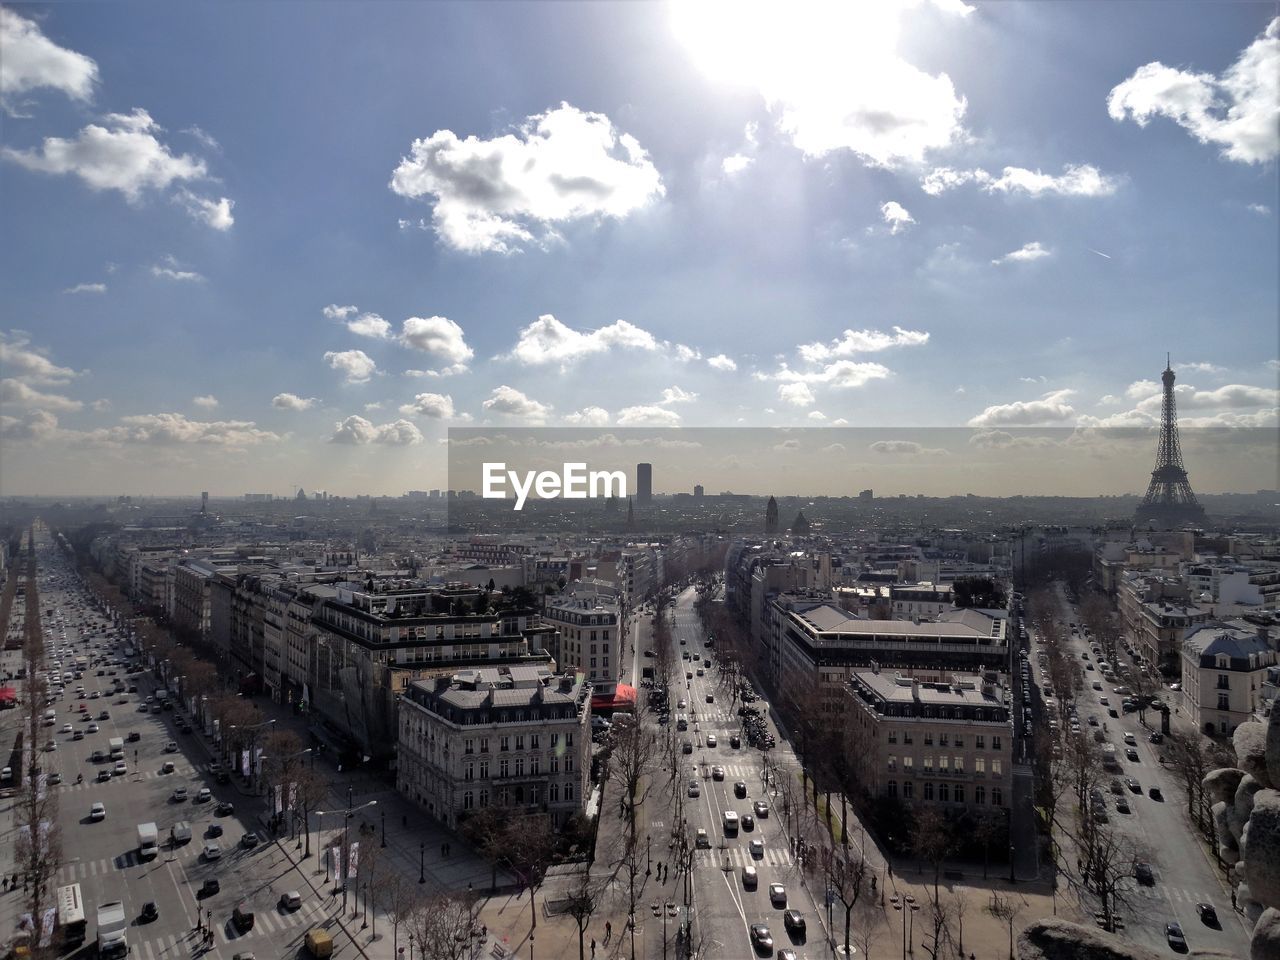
(947, 743)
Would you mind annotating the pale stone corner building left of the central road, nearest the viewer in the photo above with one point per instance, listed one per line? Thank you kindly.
(518, 739)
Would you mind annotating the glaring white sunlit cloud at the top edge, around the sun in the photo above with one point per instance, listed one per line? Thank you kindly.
(830, 74)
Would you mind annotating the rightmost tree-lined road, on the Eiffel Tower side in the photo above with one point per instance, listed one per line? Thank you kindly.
(1183, 865)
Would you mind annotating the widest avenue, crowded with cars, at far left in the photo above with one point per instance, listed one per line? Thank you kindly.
(103, 856)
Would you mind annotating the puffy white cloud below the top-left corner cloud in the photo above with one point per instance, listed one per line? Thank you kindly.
(122, 156)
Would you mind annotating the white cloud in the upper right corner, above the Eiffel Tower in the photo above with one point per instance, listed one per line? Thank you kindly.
(1238, 111)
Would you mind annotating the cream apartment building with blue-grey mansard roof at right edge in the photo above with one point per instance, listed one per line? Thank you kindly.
(1226, 668)
